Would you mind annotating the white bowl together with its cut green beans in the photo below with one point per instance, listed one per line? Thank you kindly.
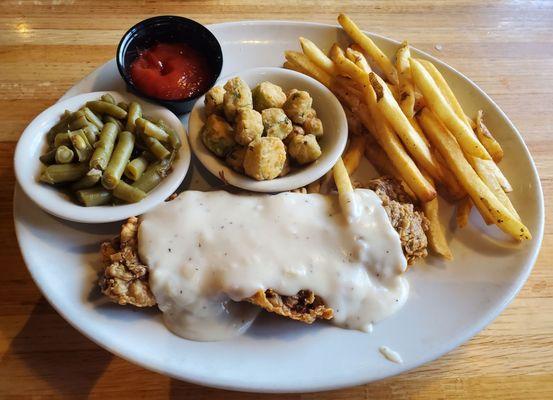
(101, 157)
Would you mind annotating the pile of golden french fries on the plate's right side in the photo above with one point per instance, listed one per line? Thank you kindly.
(407, 122)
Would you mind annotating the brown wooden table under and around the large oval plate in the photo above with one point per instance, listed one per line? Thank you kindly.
(505, 47)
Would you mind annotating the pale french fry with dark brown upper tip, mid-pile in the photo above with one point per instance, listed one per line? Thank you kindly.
(409, 136)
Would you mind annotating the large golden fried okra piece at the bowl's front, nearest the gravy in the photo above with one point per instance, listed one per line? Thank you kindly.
(265, 158)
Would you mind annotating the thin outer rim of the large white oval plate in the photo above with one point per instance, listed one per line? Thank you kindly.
(513, 289)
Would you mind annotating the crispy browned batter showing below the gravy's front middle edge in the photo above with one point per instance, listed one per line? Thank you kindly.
(305, 306)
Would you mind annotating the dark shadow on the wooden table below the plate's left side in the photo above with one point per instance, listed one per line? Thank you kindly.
(69, 373)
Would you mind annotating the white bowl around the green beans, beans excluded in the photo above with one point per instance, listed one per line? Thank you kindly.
(32, 144)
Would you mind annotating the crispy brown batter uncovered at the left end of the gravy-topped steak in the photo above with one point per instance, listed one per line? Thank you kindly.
(125, 279)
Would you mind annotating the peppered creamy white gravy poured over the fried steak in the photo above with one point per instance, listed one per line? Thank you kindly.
(208, 250)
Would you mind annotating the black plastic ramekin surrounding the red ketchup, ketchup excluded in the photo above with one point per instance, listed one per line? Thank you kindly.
(168, 29)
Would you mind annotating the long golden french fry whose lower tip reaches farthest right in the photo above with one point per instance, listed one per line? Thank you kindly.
(445, 142)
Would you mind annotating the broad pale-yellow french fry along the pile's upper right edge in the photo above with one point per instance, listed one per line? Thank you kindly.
(439, 105)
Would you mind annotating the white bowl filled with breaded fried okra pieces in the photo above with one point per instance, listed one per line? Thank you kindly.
(268, 130)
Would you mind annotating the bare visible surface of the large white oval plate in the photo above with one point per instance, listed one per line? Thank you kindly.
(449, 303)
